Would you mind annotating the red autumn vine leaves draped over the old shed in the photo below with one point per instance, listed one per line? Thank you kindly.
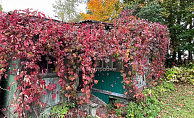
(28, 35)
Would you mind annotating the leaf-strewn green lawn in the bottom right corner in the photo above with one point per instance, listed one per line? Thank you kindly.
(178, 104)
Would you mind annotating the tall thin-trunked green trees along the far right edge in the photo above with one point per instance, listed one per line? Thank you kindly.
(178, 16)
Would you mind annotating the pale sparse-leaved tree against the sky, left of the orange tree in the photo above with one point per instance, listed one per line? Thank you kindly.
(66, 10)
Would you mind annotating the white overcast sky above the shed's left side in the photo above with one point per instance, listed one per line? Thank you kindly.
(44, 6)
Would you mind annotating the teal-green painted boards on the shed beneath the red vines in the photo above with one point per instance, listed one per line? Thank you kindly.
(108, 81)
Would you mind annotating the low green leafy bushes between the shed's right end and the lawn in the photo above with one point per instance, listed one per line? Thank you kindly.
(150, 105)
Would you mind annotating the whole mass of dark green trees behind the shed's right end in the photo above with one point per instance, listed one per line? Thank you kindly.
(177, 15)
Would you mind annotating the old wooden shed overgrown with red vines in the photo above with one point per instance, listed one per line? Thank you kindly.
(83, 56)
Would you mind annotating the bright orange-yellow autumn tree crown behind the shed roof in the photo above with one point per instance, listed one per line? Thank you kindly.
(103, 10)
